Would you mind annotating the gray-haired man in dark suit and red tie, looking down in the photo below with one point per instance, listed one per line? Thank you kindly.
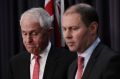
(52, 63)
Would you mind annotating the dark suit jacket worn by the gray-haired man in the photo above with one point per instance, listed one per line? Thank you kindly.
(56, 65)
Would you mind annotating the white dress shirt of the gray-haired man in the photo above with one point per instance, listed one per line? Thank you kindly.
(43, 58)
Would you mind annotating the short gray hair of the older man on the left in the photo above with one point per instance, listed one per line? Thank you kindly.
(40, 15)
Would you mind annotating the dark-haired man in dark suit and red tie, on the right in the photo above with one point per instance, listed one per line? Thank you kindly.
(80, 31)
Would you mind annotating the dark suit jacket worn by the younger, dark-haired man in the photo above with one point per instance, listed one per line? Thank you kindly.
(104, 63)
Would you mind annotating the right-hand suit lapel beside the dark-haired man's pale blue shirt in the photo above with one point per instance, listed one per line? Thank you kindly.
(92, 61)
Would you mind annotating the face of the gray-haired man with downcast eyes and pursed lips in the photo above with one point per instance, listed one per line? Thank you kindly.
(34, 38)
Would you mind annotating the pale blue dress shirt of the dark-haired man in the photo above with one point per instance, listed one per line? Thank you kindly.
(87, 53)
